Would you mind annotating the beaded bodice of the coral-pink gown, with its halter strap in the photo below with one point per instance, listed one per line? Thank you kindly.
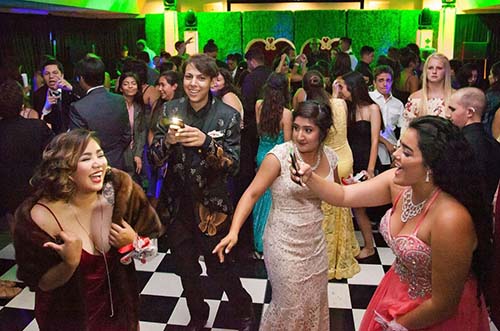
(413, 256)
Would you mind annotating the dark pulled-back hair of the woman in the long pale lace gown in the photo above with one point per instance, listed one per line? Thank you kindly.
(319, 113)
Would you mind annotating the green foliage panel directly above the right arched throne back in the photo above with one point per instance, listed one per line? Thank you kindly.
(318, 23)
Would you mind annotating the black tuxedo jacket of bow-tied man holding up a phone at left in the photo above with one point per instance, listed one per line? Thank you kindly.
(59, 117)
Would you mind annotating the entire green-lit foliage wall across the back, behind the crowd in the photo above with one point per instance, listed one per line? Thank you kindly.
(233, 30)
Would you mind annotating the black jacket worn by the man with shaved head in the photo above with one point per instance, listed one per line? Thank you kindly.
(487, 151)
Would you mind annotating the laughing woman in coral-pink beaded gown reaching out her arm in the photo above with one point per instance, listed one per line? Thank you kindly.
(439, 230)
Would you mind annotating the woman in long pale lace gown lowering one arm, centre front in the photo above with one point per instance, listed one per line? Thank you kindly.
(296, 258)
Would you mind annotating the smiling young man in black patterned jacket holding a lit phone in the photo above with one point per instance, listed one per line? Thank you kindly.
(194, 203)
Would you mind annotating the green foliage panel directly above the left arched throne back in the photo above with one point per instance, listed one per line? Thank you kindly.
(262, 24)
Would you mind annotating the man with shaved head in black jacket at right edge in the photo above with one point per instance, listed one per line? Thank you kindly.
(465, 110)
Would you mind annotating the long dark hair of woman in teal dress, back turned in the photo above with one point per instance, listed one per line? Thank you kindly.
(276, 98)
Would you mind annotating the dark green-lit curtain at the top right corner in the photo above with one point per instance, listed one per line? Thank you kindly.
(479, 28)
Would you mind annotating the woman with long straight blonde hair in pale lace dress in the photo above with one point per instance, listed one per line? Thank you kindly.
(433, 97)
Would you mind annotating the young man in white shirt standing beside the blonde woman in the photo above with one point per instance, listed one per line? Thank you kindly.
(392, 112)
